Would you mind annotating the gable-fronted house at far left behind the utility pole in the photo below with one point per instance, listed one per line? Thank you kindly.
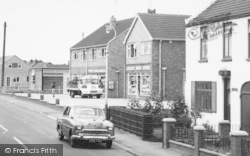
(15, 73)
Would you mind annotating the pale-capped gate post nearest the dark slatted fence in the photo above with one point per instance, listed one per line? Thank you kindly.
(168, 131)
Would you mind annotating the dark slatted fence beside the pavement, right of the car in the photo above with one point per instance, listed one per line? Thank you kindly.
(136, 122)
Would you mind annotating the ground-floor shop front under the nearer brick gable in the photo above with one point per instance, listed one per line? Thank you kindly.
(138, 80)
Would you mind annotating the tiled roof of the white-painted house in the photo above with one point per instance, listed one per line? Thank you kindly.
(221, 10)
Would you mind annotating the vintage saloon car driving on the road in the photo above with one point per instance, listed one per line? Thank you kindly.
(85, 124)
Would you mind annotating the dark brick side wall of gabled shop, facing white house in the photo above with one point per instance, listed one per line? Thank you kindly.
(173, 57)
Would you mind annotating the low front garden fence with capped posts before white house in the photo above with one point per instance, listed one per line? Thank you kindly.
(206, 141)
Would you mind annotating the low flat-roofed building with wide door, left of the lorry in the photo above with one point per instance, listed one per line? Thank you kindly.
(42, 75)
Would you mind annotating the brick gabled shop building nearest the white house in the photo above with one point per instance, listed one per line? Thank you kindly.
(155, 55)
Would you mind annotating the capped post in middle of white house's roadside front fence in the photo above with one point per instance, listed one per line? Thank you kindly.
(198, 139)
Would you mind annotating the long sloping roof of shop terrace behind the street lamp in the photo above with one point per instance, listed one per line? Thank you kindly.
(100, 37)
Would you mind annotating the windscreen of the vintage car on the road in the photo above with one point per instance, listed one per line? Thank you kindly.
(88, 112)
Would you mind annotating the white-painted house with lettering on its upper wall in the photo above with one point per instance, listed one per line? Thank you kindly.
(218, 61)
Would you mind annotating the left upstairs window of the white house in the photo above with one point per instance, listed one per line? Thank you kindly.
(203, 55)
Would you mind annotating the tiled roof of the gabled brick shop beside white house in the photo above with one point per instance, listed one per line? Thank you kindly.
(163, 26)
